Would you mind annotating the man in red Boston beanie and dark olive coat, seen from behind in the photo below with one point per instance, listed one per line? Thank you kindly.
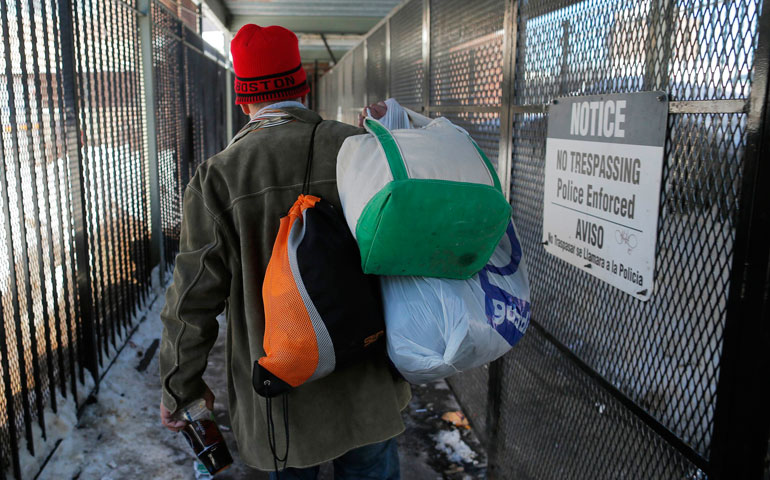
(232, 208)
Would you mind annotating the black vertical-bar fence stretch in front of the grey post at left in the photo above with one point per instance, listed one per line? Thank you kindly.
(73, 262)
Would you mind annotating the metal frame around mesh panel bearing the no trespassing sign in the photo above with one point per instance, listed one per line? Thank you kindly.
(741, 431)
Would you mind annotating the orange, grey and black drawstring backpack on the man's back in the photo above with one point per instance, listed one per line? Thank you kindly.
(321, 310)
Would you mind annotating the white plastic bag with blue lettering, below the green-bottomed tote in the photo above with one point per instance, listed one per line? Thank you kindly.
(437, 327)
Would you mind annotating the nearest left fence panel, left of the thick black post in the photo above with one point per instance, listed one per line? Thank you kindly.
(39, 341)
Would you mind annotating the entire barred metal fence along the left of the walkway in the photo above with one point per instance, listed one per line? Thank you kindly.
(76, 178)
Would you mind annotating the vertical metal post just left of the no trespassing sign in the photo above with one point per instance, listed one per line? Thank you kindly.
(495, 382)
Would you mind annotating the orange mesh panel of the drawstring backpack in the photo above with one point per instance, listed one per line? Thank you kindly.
(291, 347)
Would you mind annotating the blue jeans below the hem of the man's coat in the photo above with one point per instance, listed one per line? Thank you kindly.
(378, 461)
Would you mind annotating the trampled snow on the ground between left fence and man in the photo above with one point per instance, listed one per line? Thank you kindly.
(120, 436)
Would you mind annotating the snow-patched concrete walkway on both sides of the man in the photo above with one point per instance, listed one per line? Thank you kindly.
(120, 436)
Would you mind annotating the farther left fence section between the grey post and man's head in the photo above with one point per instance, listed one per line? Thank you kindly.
(191, 91)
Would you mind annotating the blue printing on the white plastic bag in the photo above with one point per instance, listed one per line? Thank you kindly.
(508, 315)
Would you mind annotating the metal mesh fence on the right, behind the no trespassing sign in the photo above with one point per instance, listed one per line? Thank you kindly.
(604, 385)
